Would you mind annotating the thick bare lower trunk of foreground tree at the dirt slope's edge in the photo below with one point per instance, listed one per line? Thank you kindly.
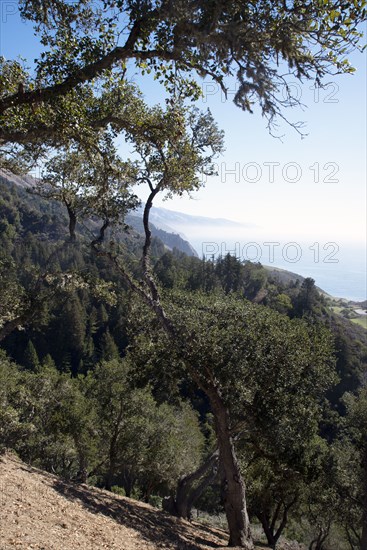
(234, 490)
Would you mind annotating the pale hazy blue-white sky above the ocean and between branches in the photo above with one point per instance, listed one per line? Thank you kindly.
(312, 188)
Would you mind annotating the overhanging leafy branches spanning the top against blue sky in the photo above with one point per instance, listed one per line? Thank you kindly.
(89, 45)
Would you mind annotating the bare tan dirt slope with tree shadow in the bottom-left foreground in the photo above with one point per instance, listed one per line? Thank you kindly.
(39, 511)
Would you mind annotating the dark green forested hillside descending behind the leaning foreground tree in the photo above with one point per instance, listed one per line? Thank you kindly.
(86, 396)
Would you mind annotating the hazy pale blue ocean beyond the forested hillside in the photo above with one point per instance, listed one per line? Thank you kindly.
(337, 268)
